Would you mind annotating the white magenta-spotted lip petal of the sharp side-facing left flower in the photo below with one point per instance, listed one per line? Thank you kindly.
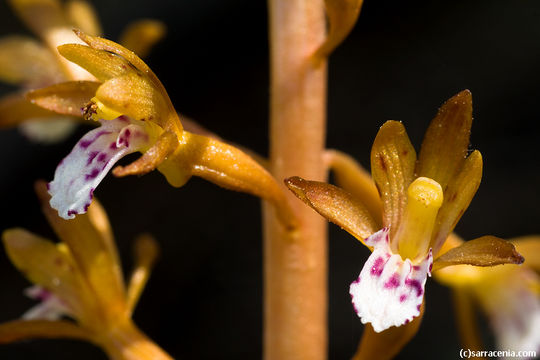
(93, 156)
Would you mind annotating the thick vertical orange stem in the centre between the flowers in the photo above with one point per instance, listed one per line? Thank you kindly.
(295, 324)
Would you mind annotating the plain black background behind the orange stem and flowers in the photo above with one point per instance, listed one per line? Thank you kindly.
(402, 61)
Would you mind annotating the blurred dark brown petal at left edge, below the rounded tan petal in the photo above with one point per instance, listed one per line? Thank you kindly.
(15, 109)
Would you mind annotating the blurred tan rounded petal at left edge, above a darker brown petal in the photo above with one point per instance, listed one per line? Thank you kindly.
(25, 61)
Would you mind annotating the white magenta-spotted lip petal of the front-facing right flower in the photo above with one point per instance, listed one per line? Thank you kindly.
(390, 290)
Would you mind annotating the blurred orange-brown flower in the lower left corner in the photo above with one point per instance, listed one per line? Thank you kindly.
(79, 284)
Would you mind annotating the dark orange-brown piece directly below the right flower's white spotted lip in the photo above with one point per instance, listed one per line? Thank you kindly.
(387, 344)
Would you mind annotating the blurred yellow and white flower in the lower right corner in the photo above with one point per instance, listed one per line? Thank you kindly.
(508, 295)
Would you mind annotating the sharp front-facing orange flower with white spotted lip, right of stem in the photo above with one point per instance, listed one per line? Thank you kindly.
(422, 200)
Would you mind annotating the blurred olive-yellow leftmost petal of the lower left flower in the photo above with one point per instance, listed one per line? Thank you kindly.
(45, 264)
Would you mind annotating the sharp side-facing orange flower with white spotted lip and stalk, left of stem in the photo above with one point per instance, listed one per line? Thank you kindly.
(136, 115)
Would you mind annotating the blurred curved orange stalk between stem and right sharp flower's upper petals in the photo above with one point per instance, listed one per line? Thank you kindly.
(352, 177)
